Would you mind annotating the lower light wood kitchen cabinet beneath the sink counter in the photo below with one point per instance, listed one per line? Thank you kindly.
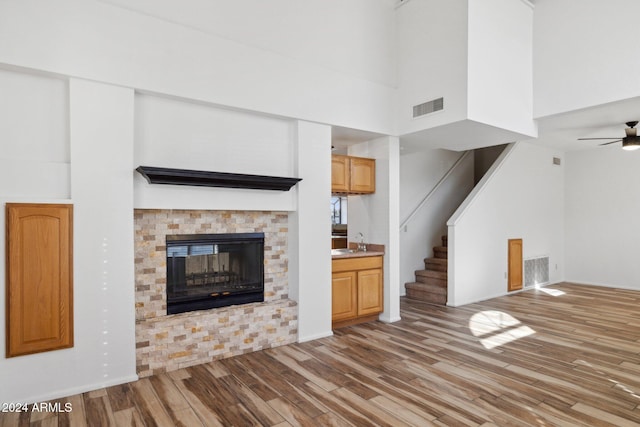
(356, 290)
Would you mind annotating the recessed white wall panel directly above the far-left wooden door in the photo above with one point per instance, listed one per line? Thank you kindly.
(34, 136)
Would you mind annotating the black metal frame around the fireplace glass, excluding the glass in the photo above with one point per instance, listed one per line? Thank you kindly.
(184, 304)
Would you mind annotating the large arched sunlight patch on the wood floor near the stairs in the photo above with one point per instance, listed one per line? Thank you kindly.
(496, 328)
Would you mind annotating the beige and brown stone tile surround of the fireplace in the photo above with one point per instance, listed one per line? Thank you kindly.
(169, 342)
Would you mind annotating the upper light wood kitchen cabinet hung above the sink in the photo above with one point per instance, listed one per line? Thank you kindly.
(353, 175)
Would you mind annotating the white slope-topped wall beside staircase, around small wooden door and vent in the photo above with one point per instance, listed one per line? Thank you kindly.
(522, 196)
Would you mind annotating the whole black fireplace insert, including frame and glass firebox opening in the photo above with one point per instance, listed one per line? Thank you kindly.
(214, 270)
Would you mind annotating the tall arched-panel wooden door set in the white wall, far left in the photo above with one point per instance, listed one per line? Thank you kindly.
(39, 277)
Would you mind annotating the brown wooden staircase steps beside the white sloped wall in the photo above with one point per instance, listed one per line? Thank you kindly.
(431, 283)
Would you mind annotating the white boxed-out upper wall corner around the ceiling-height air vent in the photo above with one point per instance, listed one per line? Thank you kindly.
(477, 56)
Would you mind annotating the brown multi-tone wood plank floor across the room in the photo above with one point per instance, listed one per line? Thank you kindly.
(568, 355)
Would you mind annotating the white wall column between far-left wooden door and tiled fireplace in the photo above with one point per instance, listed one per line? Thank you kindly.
(101, 140)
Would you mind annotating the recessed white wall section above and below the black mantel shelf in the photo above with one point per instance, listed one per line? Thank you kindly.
(186, 135)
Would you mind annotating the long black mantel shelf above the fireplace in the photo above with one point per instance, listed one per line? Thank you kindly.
(156, 175)
